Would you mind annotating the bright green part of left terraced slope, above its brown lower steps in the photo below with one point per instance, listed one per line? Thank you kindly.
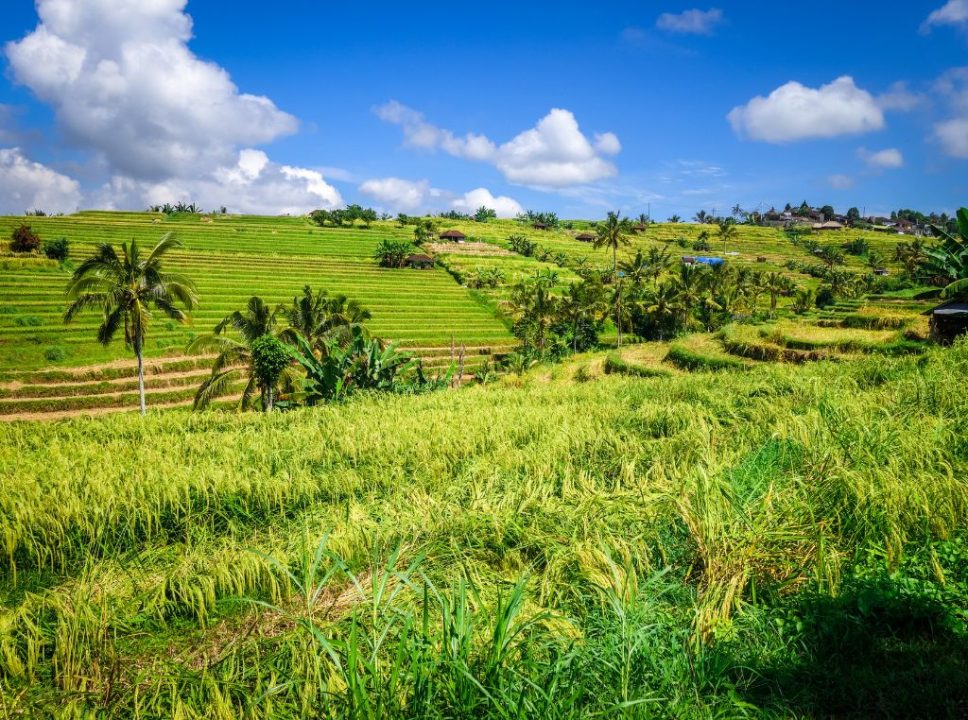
(232, 258)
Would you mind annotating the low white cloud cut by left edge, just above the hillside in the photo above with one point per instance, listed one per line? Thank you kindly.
(28, 185)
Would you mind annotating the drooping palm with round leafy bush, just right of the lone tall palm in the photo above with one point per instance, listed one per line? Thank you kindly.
(235, 360)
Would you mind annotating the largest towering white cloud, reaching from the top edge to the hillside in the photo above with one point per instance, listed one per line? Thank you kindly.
(124, 85)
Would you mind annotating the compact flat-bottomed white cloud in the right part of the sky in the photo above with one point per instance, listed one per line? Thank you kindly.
(795, 112)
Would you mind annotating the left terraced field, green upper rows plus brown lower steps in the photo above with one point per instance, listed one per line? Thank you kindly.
(230, 258)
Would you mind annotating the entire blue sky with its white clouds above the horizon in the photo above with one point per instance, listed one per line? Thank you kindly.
(572, 107)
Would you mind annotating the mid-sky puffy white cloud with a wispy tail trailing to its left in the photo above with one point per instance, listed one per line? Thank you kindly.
(554, 153)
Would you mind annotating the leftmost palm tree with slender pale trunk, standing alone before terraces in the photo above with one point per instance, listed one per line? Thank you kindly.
(126, 287)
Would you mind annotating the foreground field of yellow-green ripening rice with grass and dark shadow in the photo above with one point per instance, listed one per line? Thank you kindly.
(712, 544)
